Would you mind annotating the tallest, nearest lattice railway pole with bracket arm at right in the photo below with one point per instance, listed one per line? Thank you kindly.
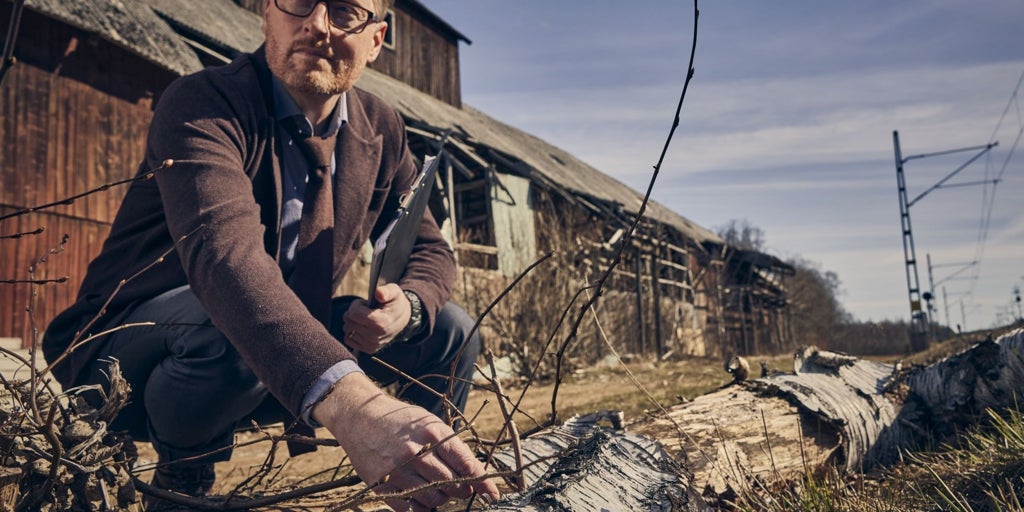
(919, 319)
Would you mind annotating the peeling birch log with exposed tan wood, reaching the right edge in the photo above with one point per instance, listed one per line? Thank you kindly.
(836, 411)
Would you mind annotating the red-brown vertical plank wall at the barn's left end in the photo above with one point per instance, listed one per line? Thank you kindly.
(75, 118)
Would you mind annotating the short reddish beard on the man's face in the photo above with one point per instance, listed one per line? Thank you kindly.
(308, 76)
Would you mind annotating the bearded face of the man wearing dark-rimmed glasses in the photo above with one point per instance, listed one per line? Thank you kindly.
(311, 57)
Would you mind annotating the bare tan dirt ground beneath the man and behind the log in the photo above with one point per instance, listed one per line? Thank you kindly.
(587, 391)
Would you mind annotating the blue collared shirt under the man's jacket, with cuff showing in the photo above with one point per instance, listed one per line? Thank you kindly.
(294, 169)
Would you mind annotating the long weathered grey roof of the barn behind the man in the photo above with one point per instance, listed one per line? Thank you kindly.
(161, 31)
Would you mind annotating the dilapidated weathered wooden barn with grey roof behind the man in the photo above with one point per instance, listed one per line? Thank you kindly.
(77, 103)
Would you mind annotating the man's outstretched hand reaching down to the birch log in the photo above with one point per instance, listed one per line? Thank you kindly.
(386, 437)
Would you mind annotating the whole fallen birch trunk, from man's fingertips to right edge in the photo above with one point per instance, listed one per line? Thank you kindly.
(833, 411)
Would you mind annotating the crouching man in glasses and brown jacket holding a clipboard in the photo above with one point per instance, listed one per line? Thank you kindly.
(232, 321)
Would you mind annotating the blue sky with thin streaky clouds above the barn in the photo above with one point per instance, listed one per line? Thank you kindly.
(789, 125)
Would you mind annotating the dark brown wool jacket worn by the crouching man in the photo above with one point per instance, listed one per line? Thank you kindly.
(225, 188)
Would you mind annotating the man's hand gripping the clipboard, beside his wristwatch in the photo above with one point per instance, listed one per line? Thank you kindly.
(370, 330)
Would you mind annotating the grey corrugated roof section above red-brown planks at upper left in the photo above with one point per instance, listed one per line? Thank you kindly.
(135, 28)
